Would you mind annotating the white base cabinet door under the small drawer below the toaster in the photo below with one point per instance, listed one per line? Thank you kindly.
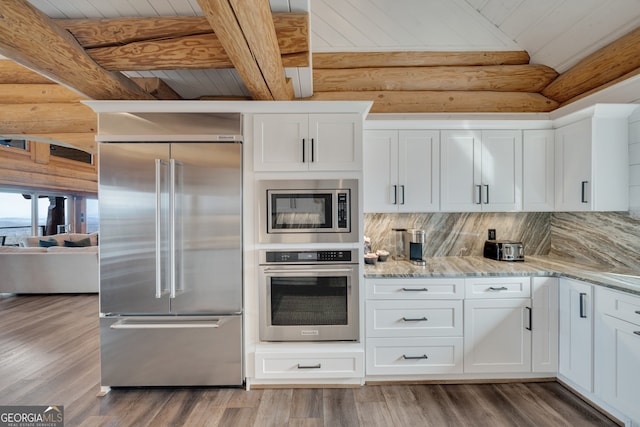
(497, 335)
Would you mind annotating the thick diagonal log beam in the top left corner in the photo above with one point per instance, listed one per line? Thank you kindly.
(33, 40)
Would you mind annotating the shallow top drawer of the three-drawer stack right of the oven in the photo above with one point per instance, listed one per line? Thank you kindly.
(415, 288)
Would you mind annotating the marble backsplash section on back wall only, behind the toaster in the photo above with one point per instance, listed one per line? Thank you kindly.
(462, 234)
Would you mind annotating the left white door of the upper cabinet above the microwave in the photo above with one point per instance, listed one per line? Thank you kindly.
(280, 142)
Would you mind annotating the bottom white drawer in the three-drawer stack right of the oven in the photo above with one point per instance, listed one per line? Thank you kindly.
(409, 356)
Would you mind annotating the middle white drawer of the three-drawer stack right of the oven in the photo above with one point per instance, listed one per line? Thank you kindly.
(414, 318)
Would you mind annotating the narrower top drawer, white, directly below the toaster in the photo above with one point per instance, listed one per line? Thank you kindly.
(498, 287)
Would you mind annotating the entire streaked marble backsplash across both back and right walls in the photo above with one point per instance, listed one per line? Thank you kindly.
(609, 238)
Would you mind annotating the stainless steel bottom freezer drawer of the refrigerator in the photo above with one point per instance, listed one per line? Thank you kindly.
(171, 351)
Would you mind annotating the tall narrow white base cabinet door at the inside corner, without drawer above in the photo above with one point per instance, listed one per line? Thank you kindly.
(544, 324)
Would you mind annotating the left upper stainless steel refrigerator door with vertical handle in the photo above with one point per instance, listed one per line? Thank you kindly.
(133, 191)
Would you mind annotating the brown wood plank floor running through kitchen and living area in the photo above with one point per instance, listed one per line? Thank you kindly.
(49, 355)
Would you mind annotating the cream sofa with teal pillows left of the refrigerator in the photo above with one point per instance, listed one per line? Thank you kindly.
(38, 265)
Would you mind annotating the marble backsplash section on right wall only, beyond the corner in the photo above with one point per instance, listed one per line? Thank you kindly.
(611, 238)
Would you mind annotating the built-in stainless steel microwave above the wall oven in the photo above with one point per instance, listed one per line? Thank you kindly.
(308, 211)
